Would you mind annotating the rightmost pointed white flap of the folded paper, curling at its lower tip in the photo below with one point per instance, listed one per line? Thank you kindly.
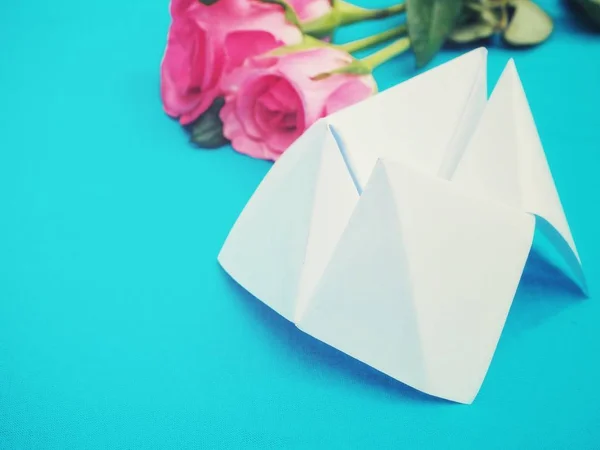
(505, 161)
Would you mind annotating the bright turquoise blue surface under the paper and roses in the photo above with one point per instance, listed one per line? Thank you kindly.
(119, 330)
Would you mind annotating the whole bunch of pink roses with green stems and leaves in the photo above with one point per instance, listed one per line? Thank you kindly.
(258, 73)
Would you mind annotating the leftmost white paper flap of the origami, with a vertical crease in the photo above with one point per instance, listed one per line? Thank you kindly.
(285, 235)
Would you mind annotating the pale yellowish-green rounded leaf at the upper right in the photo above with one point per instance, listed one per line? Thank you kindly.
(529, 25)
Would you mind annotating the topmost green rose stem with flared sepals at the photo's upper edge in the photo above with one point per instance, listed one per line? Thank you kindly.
(344, 14)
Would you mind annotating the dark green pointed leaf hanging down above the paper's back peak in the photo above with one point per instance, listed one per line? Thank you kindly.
(429, 24)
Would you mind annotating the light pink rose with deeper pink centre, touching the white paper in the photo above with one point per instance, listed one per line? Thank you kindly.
(271, 100)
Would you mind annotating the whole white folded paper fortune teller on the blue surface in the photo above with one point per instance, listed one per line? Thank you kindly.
(397, 230)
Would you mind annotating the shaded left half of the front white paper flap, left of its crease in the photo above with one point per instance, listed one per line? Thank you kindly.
(362, 306)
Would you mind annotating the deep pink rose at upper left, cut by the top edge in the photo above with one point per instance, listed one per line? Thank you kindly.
(205, 42)
